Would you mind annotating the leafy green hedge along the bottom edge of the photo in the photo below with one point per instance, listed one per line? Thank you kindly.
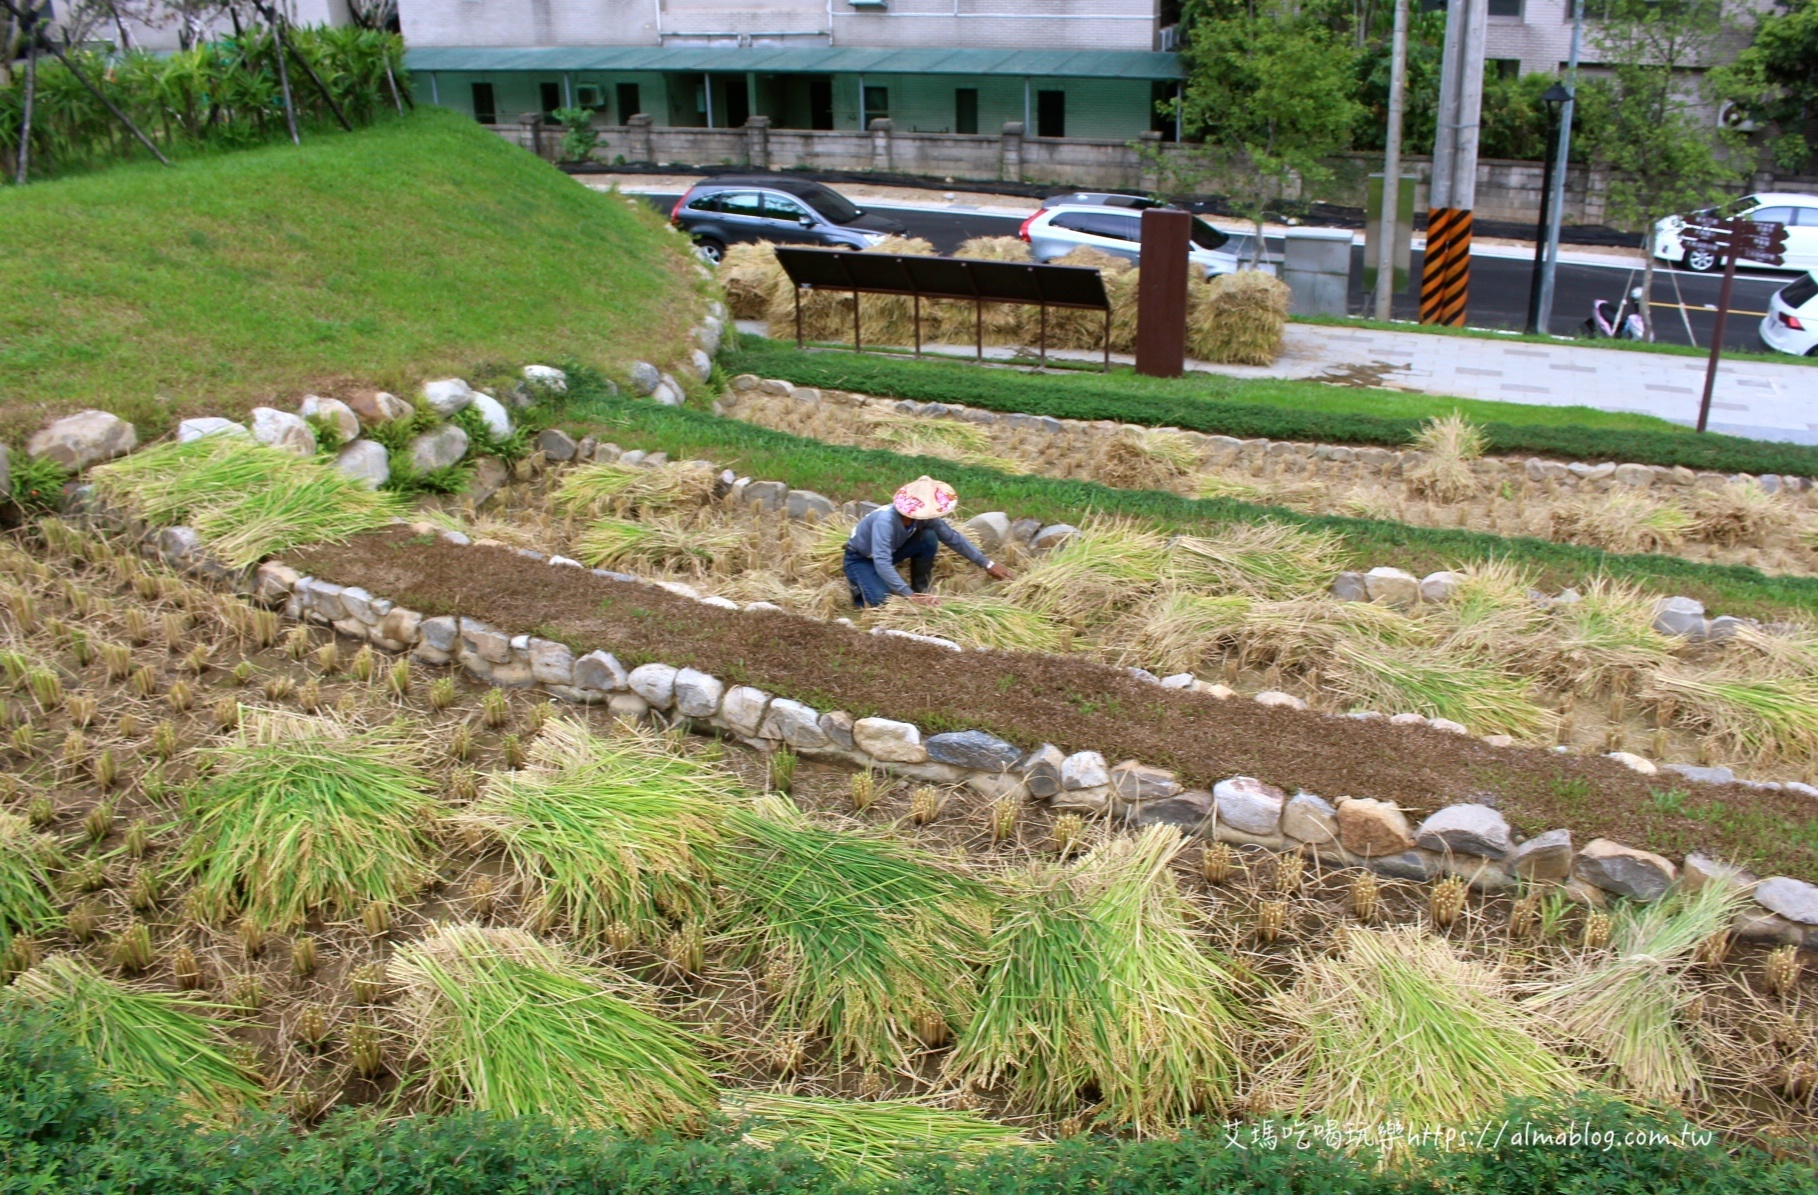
(65, 1130)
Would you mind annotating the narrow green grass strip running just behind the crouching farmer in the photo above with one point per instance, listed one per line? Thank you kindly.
(843, 474)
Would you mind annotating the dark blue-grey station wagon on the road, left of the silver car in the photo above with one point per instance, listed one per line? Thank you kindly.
(723, 212)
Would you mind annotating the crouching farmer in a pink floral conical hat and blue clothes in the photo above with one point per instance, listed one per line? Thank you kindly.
(912, 528)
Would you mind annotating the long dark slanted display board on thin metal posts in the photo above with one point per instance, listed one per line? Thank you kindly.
(919, 277)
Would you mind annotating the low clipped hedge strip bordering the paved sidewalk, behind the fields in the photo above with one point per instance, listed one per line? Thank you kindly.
(1215, 405)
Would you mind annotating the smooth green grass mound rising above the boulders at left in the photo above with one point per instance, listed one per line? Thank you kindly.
(415, 248)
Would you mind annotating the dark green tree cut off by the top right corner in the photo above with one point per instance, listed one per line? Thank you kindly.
(1775, 81)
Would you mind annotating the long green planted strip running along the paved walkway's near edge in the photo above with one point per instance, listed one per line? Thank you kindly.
(1279, 410)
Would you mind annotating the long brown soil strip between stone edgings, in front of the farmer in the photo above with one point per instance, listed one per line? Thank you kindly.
(1075, 705)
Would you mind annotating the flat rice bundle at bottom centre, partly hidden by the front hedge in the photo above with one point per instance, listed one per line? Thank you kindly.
(861, 1140)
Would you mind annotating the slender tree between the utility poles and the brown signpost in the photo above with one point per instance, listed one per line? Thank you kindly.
(1648, 125)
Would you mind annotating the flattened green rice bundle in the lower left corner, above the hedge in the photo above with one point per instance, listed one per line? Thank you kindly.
(143, 1041)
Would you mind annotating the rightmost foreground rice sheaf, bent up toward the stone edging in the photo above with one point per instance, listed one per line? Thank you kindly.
(1630, 1007)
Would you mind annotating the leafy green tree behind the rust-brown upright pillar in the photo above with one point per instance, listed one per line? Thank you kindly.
(1270, 94)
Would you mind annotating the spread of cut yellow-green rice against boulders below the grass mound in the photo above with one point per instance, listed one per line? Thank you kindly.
(248, 501)
